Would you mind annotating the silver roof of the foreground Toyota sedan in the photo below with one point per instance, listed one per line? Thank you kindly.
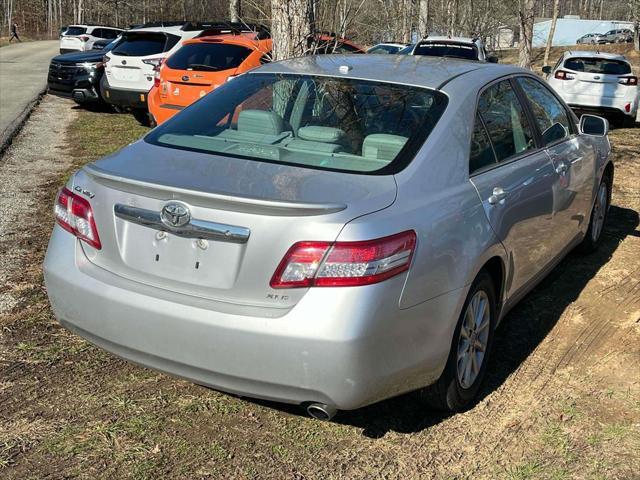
(415, 70)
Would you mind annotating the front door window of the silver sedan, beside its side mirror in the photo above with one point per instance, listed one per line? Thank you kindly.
(551, 116)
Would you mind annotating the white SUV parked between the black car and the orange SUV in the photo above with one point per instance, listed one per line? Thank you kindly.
(131, 66)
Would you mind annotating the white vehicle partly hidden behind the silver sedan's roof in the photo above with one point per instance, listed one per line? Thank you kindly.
(453, 47)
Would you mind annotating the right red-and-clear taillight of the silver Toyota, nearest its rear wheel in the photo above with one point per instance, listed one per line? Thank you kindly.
(345, 264)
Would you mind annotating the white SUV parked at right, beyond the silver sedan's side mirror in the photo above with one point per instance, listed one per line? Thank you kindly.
(594, 82)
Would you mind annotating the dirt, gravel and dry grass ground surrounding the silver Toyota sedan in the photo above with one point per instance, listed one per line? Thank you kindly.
(562, 400)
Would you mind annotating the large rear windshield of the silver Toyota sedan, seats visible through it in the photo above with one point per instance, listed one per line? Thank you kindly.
(325, 123)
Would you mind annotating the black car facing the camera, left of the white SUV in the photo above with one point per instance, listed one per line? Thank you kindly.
(77, 75)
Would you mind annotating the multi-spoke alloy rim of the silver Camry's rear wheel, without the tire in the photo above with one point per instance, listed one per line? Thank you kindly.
(474, 337)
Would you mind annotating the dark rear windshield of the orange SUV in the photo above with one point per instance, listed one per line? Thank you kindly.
(208, 57)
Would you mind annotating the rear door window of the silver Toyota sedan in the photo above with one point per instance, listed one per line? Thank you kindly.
(505, 120)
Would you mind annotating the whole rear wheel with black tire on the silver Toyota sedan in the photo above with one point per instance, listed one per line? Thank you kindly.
(454, 391)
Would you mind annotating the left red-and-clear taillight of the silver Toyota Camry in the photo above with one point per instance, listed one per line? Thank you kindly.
(75, 215)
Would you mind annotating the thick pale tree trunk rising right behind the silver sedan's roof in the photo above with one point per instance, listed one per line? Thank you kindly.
(291, 27)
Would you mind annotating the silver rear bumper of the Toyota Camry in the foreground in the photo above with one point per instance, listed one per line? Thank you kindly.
(345, 347)
